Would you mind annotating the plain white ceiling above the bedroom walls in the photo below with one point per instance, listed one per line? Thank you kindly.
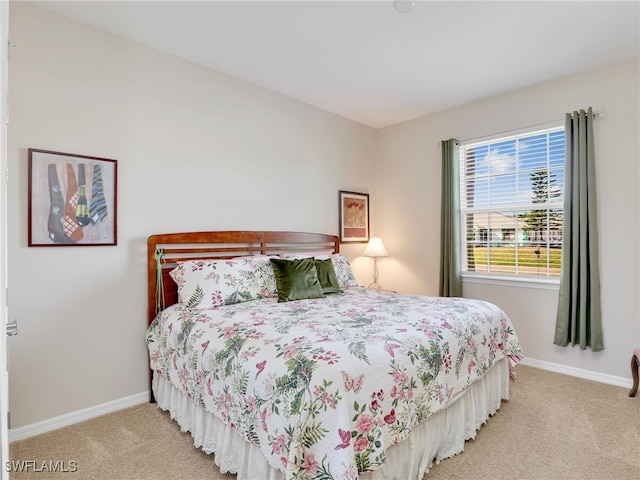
(365, 61)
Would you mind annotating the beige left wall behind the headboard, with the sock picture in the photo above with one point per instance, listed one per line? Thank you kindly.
(196, 150)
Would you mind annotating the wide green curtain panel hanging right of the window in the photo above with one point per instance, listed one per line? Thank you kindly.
(578, 321)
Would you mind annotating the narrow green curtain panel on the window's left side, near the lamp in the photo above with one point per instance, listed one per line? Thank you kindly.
(450, 256)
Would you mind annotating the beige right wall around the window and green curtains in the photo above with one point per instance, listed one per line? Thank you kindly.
(408, 194)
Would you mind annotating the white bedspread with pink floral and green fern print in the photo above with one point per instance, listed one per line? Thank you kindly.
(325, 386)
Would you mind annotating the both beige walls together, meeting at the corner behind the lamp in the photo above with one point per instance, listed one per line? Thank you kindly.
(200, 150)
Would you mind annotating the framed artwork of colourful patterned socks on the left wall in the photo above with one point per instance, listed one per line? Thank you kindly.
(72, 200)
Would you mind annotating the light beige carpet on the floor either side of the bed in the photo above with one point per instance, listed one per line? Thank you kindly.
(554, 427)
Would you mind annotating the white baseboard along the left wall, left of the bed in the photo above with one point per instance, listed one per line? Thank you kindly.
(75, 417)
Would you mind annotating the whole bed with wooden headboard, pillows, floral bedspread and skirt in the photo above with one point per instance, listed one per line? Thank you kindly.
(263, 346)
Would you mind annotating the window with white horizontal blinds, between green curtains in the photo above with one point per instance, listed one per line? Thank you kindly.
(511, 198)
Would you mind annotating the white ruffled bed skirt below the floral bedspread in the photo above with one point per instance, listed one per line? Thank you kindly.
(441, 436)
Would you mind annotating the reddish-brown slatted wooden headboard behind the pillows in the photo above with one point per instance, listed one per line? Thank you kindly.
(165, 250)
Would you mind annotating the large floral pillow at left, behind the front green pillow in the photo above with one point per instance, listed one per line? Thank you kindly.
(212, 283)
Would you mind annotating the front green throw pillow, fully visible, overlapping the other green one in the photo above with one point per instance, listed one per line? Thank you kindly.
(296, 279)
